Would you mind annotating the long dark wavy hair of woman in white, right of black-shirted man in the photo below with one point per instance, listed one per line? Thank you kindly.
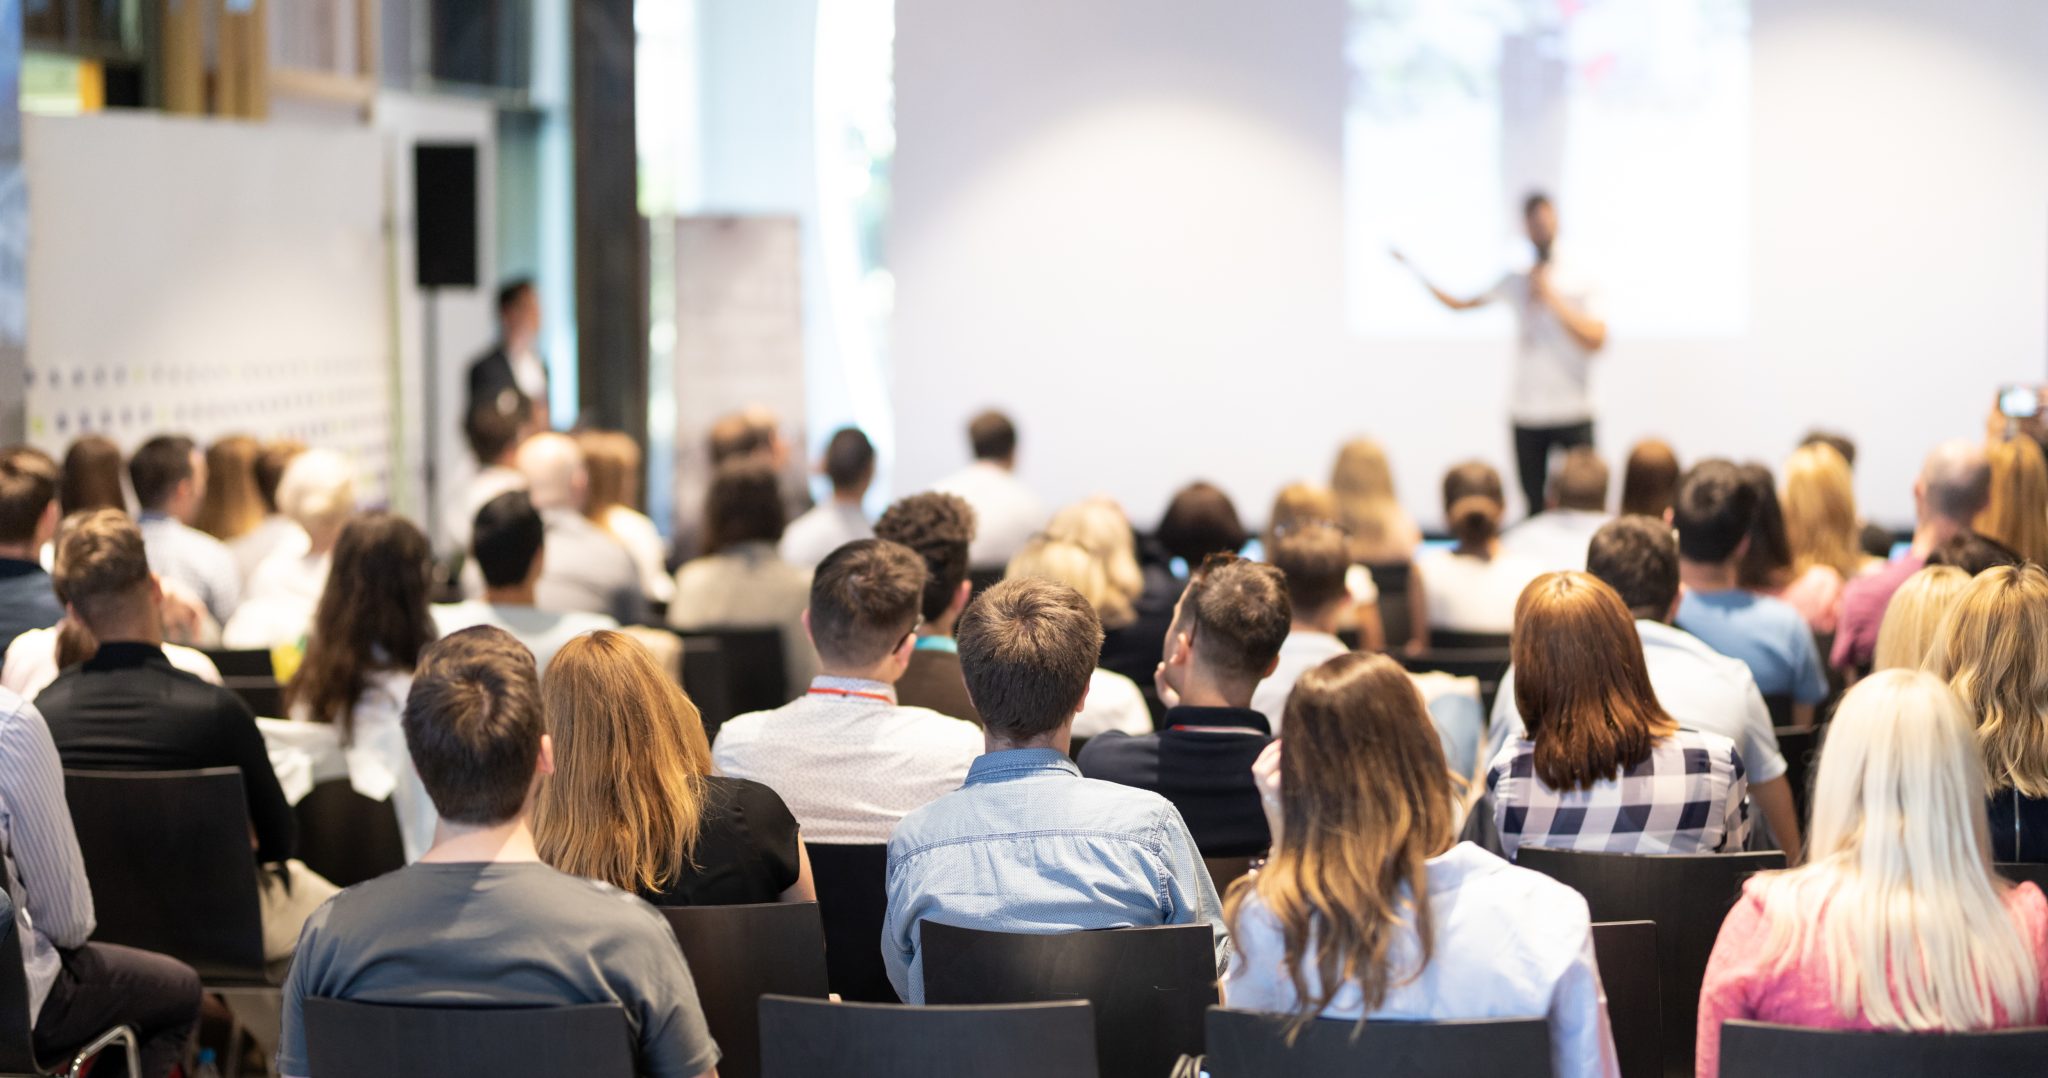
(374, 616)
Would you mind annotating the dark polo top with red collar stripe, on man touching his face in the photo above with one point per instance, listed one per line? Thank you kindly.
(1201, 763)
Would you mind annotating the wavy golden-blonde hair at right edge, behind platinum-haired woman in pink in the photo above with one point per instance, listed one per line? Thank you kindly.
(1994, 653)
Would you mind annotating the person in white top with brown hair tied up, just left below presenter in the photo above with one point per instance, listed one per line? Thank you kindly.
(1474, 587)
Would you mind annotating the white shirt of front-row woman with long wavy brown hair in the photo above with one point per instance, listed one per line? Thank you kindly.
(1510, 944)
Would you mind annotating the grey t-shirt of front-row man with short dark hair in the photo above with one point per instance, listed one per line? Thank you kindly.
(501, 936)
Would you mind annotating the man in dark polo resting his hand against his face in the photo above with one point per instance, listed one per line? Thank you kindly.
(1226, 638)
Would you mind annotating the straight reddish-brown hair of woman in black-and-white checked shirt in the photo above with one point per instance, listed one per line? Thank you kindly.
(1582, 686)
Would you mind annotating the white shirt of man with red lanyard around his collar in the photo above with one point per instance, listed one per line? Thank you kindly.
(849, 759)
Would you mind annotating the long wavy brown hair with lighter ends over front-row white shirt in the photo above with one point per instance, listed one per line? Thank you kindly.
(1365, 804)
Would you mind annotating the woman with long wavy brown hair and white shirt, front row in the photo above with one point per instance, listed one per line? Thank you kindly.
(1332, 927)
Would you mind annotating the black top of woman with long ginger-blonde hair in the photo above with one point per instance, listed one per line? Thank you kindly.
(746, 849)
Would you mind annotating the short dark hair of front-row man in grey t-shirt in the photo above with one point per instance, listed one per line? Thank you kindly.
(474, 724)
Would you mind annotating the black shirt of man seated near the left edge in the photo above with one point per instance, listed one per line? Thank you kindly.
(130, 710)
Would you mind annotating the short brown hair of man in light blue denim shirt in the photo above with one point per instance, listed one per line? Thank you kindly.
(1029, 651)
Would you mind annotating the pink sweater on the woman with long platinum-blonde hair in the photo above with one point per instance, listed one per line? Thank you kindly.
(1740, 985)
